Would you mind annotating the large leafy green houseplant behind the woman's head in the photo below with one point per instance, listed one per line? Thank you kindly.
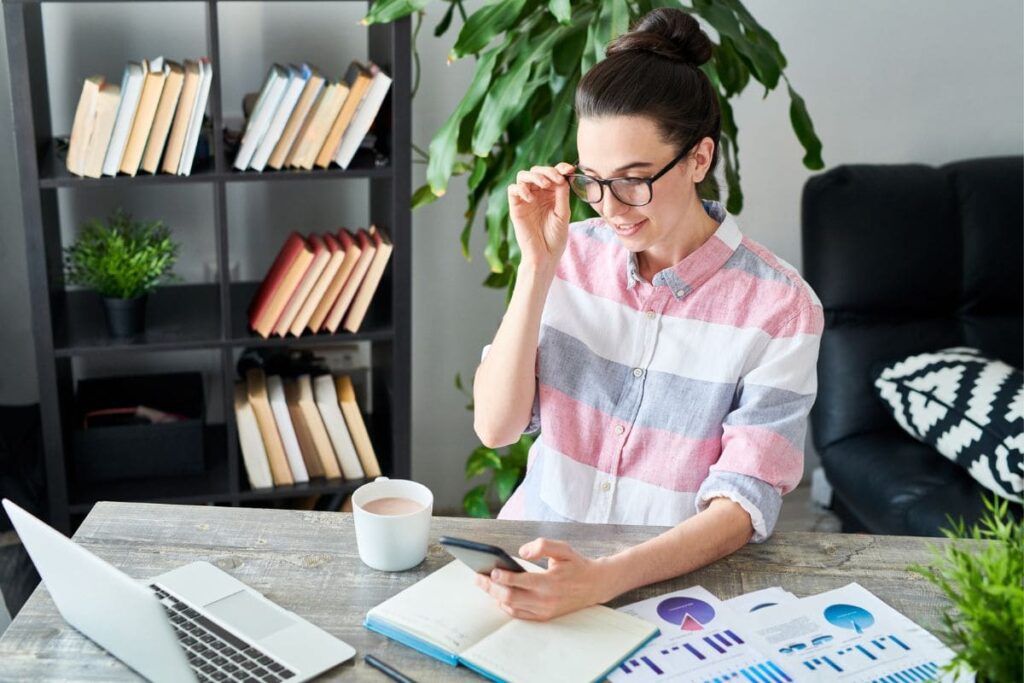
(519, 113)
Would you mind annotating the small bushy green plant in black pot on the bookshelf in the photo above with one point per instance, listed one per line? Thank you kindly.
(123, 261)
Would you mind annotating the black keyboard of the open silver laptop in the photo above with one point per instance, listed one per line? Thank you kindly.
(217, 655)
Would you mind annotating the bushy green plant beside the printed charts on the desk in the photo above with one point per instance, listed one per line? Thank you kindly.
(985, 583)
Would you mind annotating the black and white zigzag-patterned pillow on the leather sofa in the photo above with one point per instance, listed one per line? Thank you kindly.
(969, 408)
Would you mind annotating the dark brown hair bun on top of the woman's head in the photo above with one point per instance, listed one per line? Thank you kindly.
(668, 33)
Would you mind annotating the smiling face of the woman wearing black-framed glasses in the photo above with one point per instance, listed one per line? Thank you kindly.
(616, 147)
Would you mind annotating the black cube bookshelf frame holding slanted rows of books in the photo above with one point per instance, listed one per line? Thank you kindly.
(69, 325)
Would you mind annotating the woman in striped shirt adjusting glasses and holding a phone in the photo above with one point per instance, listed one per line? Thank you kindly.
(670, 360)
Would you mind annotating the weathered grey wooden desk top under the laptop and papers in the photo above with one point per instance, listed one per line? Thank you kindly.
(308, 563)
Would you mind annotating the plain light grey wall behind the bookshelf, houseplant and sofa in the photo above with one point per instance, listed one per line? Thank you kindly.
(912, 81)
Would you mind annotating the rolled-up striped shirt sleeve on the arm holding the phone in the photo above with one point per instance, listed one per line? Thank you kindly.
(763, 436)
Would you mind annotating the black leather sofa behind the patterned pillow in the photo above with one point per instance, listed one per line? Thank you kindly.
(907, 260)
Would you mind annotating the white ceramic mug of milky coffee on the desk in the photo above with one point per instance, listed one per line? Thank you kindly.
(393, 543)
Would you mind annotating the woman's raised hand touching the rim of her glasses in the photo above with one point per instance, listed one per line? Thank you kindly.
(539, 207)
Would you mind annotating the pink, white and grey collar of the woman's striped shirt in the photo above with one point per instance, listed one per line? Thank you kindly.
(694, 271)
